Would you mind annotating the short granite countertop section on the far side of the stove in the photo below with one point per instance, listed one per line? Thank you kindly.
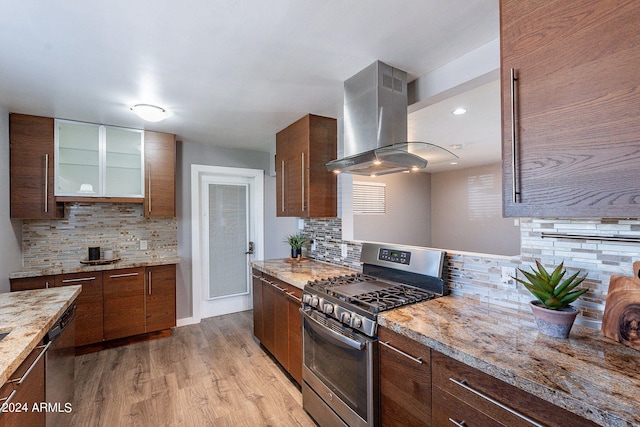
(299, 273)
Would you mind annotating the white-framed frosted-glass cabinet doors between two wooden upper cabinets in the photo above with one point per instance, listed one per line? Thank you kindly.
(98, 161)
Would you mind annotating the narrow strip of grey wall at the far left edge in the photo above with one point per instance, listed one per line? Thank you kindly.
(10, 230)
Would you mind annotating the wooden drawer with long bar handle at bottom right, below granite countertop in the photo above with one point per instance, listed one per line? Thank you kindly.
(497, 399)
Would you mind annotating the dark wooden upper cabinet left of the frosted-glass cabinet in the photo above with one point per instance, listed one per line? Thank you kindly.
(32, 168)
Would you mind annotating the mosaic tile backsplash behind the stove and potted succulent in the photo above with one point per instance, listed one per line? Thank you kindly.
(479, 275)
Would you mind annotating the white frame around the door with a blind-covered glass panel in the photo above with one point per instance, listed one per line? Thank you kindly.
(256, 200)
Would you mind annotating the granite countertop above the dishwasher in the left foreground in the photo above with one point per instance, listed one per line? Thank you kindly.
(29, 315)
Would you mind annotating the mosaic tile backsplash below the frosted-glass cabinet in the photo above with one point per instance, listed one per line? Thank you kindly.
(120, 227)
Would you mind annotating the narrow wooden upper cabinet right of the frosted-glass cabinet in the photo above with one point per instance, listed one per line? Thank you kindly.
(160, 175)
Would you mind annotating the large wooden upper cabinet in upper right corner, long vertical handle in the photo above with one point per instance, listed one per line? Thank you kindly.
(576, 98)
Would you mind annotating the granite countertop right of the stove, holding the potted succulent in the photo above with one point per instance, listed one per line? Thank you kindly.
(587, 374)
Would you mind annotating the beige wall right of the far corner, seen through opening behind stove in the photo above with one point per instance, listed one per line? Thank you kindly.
(466, 212)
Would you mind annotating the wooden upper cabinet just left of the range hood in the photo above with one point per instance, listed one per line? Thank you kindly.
(304, 186)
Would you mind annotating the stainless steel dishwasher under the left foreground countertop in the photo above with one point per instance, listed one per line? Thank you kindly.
(59, 369)
